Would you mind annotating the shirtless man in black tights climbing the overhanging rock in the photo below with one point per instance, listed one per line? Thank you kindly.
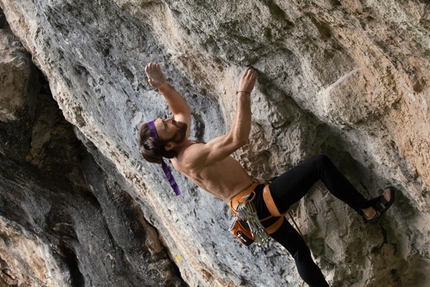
(211, 167)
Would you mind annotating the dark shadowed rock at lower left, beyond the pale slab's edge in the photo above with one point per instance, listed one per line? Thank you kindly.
(66, 216)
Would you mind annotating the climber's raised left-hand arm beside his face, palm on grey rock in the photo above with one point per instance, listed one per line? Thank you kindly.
(176, 102)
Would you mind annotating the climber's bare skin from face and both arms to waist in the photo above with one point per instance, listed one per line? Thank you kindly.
(209, 165)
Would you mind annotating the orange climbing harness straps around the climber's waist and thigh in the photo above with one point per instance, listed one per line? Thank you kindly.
(248, 194)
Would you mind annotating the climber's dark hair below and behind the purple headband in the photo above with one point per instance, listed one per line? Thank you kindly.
(153, 149)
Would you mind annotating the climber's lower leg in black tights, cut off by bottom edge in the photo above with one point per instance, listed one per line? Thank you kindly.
(288, 237)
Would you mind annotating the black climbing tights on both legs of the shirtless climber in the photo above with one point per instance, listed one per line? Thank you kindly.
(289, 188)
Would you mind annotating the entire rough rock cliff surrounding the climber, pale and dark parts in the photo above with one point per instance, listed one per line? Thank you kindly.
(347, 78)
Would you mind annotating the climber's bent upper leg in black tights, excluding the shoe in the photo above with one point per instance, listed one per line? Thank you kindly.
(291, 186)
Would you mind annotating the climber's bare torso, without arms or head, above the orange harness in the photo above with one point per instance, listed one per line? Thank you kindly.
(223, 179)
